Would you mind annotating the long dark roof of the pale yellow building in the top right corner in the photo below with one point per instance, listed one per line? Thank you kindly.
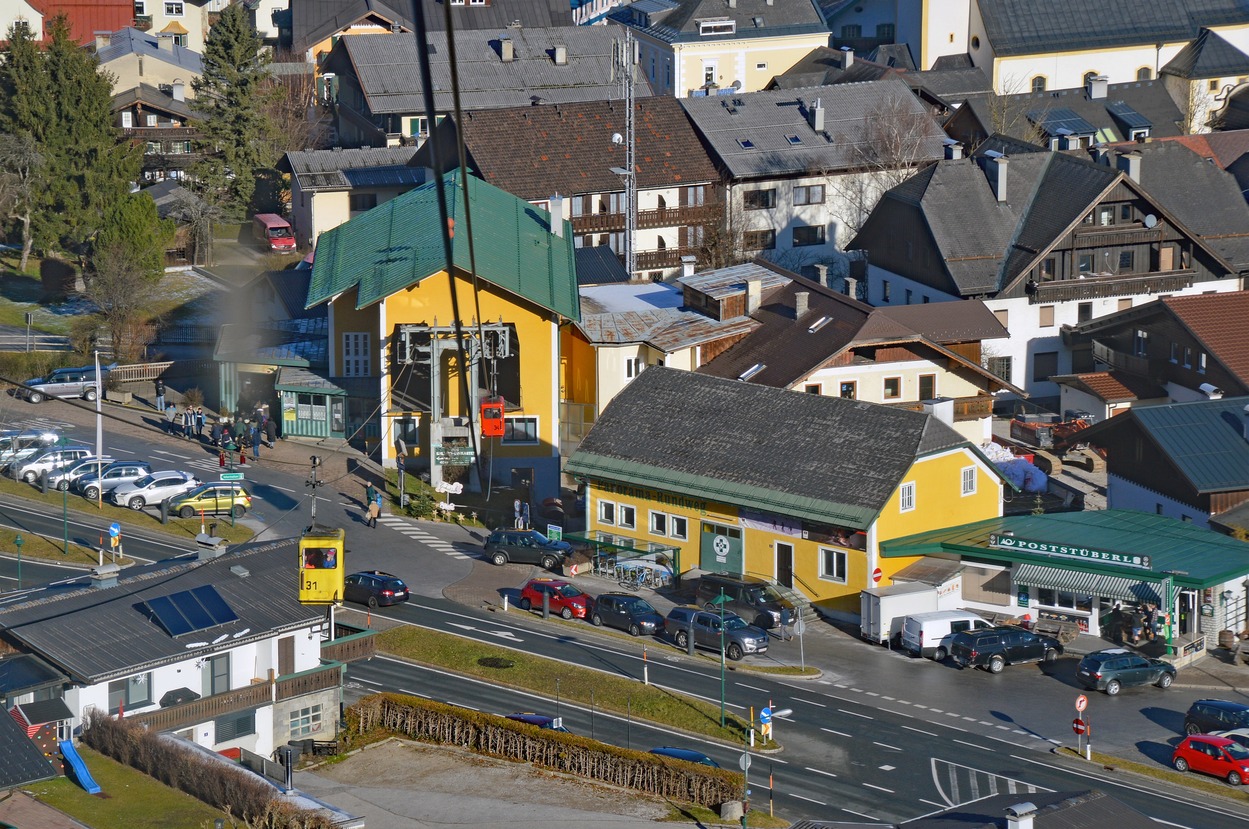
(1029, 28)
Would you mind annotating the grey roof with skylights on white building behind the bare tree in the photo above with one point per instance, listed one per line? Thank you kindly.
(768, 134)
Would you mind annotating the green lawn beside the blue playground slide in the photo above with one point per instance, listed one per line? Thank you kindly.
(129, 800)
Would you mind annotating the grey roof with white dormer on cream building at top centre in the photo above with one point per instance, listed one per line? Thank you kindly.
(679, 21)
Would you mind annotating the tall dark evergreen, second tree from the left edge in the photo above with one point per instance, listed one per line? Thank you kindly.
(91, 165)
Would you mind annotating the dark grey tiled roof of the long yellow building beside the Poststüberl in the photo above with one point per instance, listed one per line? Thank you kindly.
(766, 449)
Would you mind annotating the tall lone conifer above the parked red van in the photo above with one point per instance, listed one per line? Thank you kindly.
(230, 102)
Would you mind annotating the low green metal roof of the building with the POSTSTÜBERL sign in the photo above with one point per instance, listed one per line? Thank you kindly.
(1197, 557)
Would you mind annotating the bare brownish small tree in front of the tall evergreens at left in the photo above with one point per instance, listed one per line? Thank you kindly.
(123, 288)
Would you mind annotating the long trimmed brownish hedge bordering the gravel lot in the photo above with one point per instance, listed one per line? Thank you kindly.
(424, 720)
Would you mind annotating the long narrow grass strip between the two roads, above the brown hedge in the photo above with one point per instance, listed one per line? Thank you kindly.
(606, 692)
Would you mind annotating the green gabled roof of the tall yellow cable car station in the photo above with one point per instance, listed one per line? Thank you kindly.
(399, 244)
